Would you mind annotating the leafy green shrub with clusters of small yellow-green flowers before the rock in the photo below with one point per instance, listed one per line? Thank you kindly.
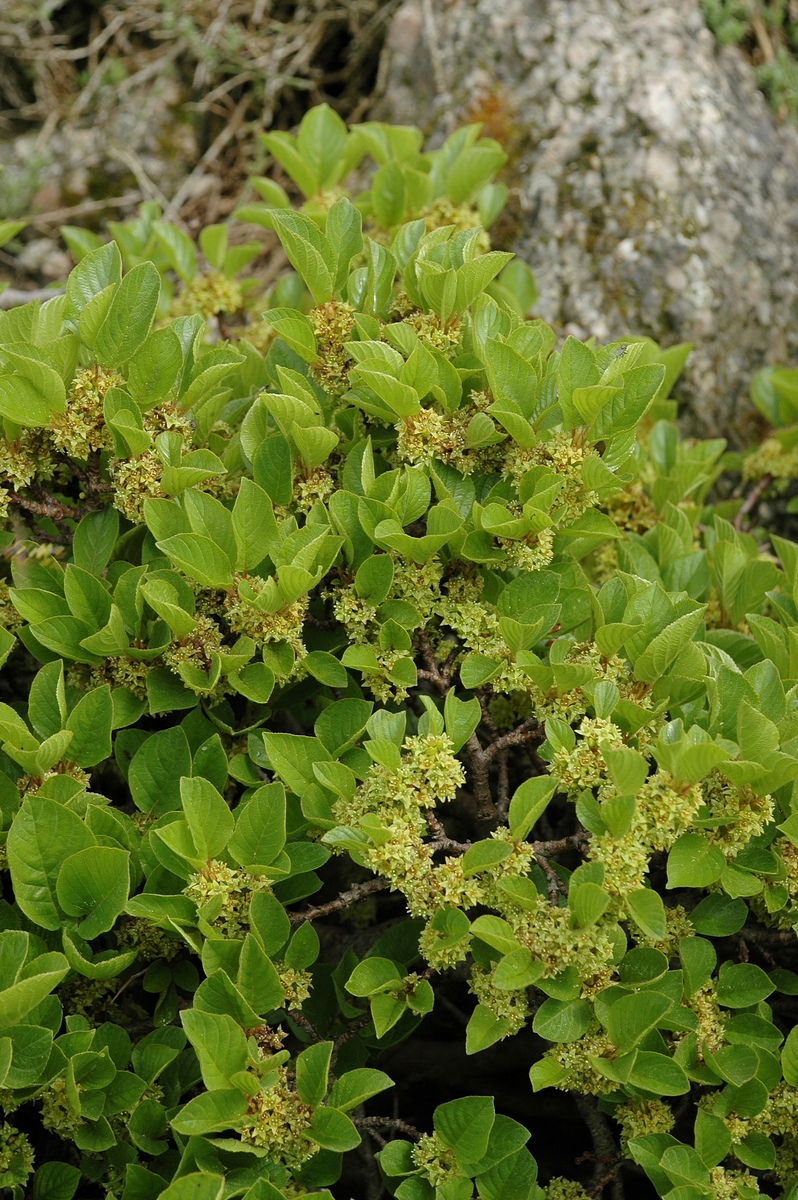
(385, 602)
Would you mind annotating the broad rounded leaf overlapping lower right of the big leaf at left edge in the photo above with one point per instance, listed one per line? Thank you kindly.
(94, 884)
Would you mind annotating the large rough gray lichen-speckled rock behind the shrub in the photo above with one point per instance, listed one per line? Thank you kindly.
(655, 191)
